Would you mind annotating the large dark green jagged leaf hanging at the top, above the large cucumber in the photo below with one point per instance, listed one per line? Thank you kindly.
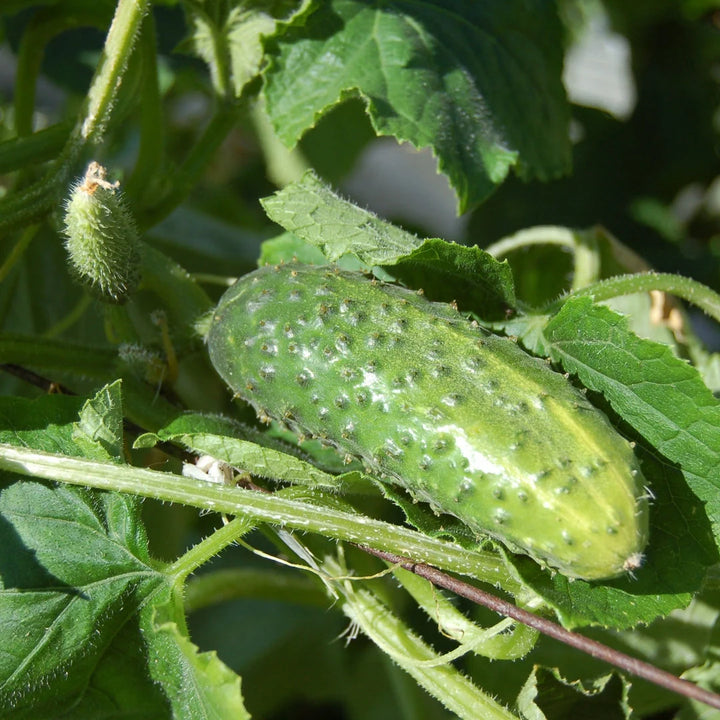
(479, 83)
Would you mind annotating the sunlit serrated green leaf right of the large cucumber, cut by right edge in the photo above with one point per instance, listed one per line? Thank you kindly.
(661, 396)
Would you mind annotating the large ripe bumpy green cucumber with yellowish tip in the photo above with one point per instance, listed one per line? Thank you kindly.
(463, 419)
